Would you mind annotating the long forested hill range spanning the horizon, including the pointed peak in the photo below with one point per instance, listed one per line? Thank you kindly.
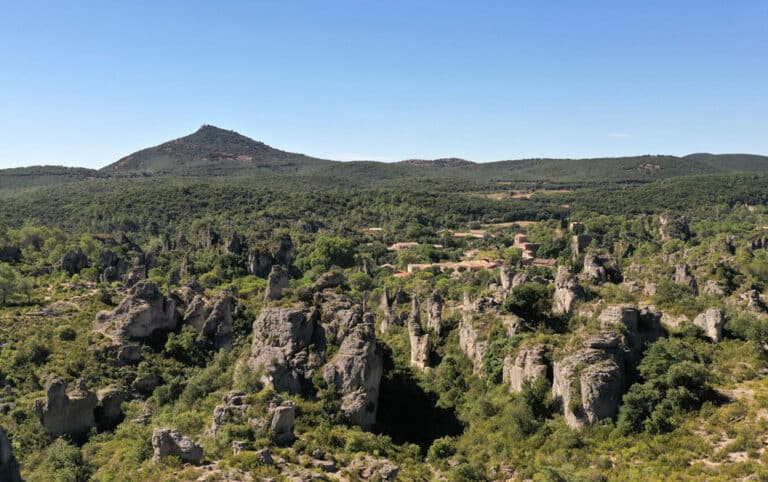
(211, 151)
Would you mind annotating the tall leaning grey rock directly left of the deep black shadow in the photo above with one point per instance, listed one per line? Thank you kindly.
(356, 371)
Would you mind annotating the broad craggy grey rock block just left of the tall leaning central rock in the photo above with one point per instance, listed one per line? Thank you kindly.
(280, 347)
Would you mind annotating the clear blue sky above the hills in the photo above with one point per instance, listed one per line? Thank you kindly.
(85, 83)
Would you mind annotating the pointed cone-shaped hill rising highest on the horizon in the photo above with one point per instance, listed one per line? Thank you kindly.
(213, 151)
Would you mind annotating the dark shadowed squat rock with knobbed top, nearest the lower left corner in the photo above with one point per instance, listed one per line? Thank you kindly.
(65, 413)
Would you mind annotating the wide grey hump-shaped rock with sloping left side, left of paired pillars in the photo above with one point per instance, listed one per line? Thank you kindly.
(144, 311)
